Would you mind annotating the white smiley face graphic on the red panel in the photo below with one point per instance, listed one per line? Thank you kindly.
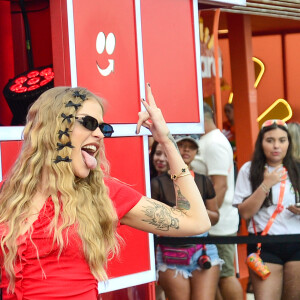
(106, 43)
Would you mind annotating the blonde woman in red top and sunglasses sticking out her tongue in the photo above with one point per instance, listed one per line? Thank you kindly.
(59, 209)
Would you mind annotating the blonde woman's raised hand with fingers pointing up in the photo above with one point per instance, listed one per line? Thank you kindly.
(152, 118)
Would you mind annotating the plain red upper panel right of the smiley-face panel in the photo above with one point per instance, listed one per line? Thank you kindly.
(169, 57)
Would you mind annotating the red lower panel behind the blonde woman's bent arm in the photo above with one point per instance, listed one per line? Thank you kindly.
(127, 164)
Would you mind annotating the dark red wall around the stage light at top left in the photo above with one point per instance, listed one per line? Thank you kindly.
(13, 57)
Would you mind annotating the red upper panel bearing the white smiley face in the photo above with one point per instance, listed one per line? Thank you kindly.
(120, 87)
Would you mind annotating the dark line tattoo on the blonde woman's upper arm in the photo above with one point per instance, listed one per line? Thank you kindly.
(162, 217)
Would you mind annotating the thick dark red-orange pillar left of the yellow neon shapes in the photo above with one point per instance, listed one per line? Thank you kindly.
(243, 77)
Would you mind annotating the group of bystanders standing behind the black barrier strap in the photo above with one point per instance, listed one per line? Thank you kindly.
(254, 197)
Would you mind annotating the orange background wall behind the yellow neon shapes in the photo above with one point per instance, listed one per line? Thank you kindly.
(269, 49)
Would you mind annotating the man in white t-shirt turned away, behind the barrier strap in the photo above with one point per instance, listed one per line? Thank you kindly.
(215, 159)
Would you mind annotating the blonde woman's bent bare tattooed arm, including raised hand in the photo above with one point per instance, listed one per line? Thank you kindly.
(189, 217)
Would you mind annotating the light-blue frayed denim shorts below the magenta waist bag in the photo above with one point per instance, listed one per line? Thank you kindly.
(186, 271)
